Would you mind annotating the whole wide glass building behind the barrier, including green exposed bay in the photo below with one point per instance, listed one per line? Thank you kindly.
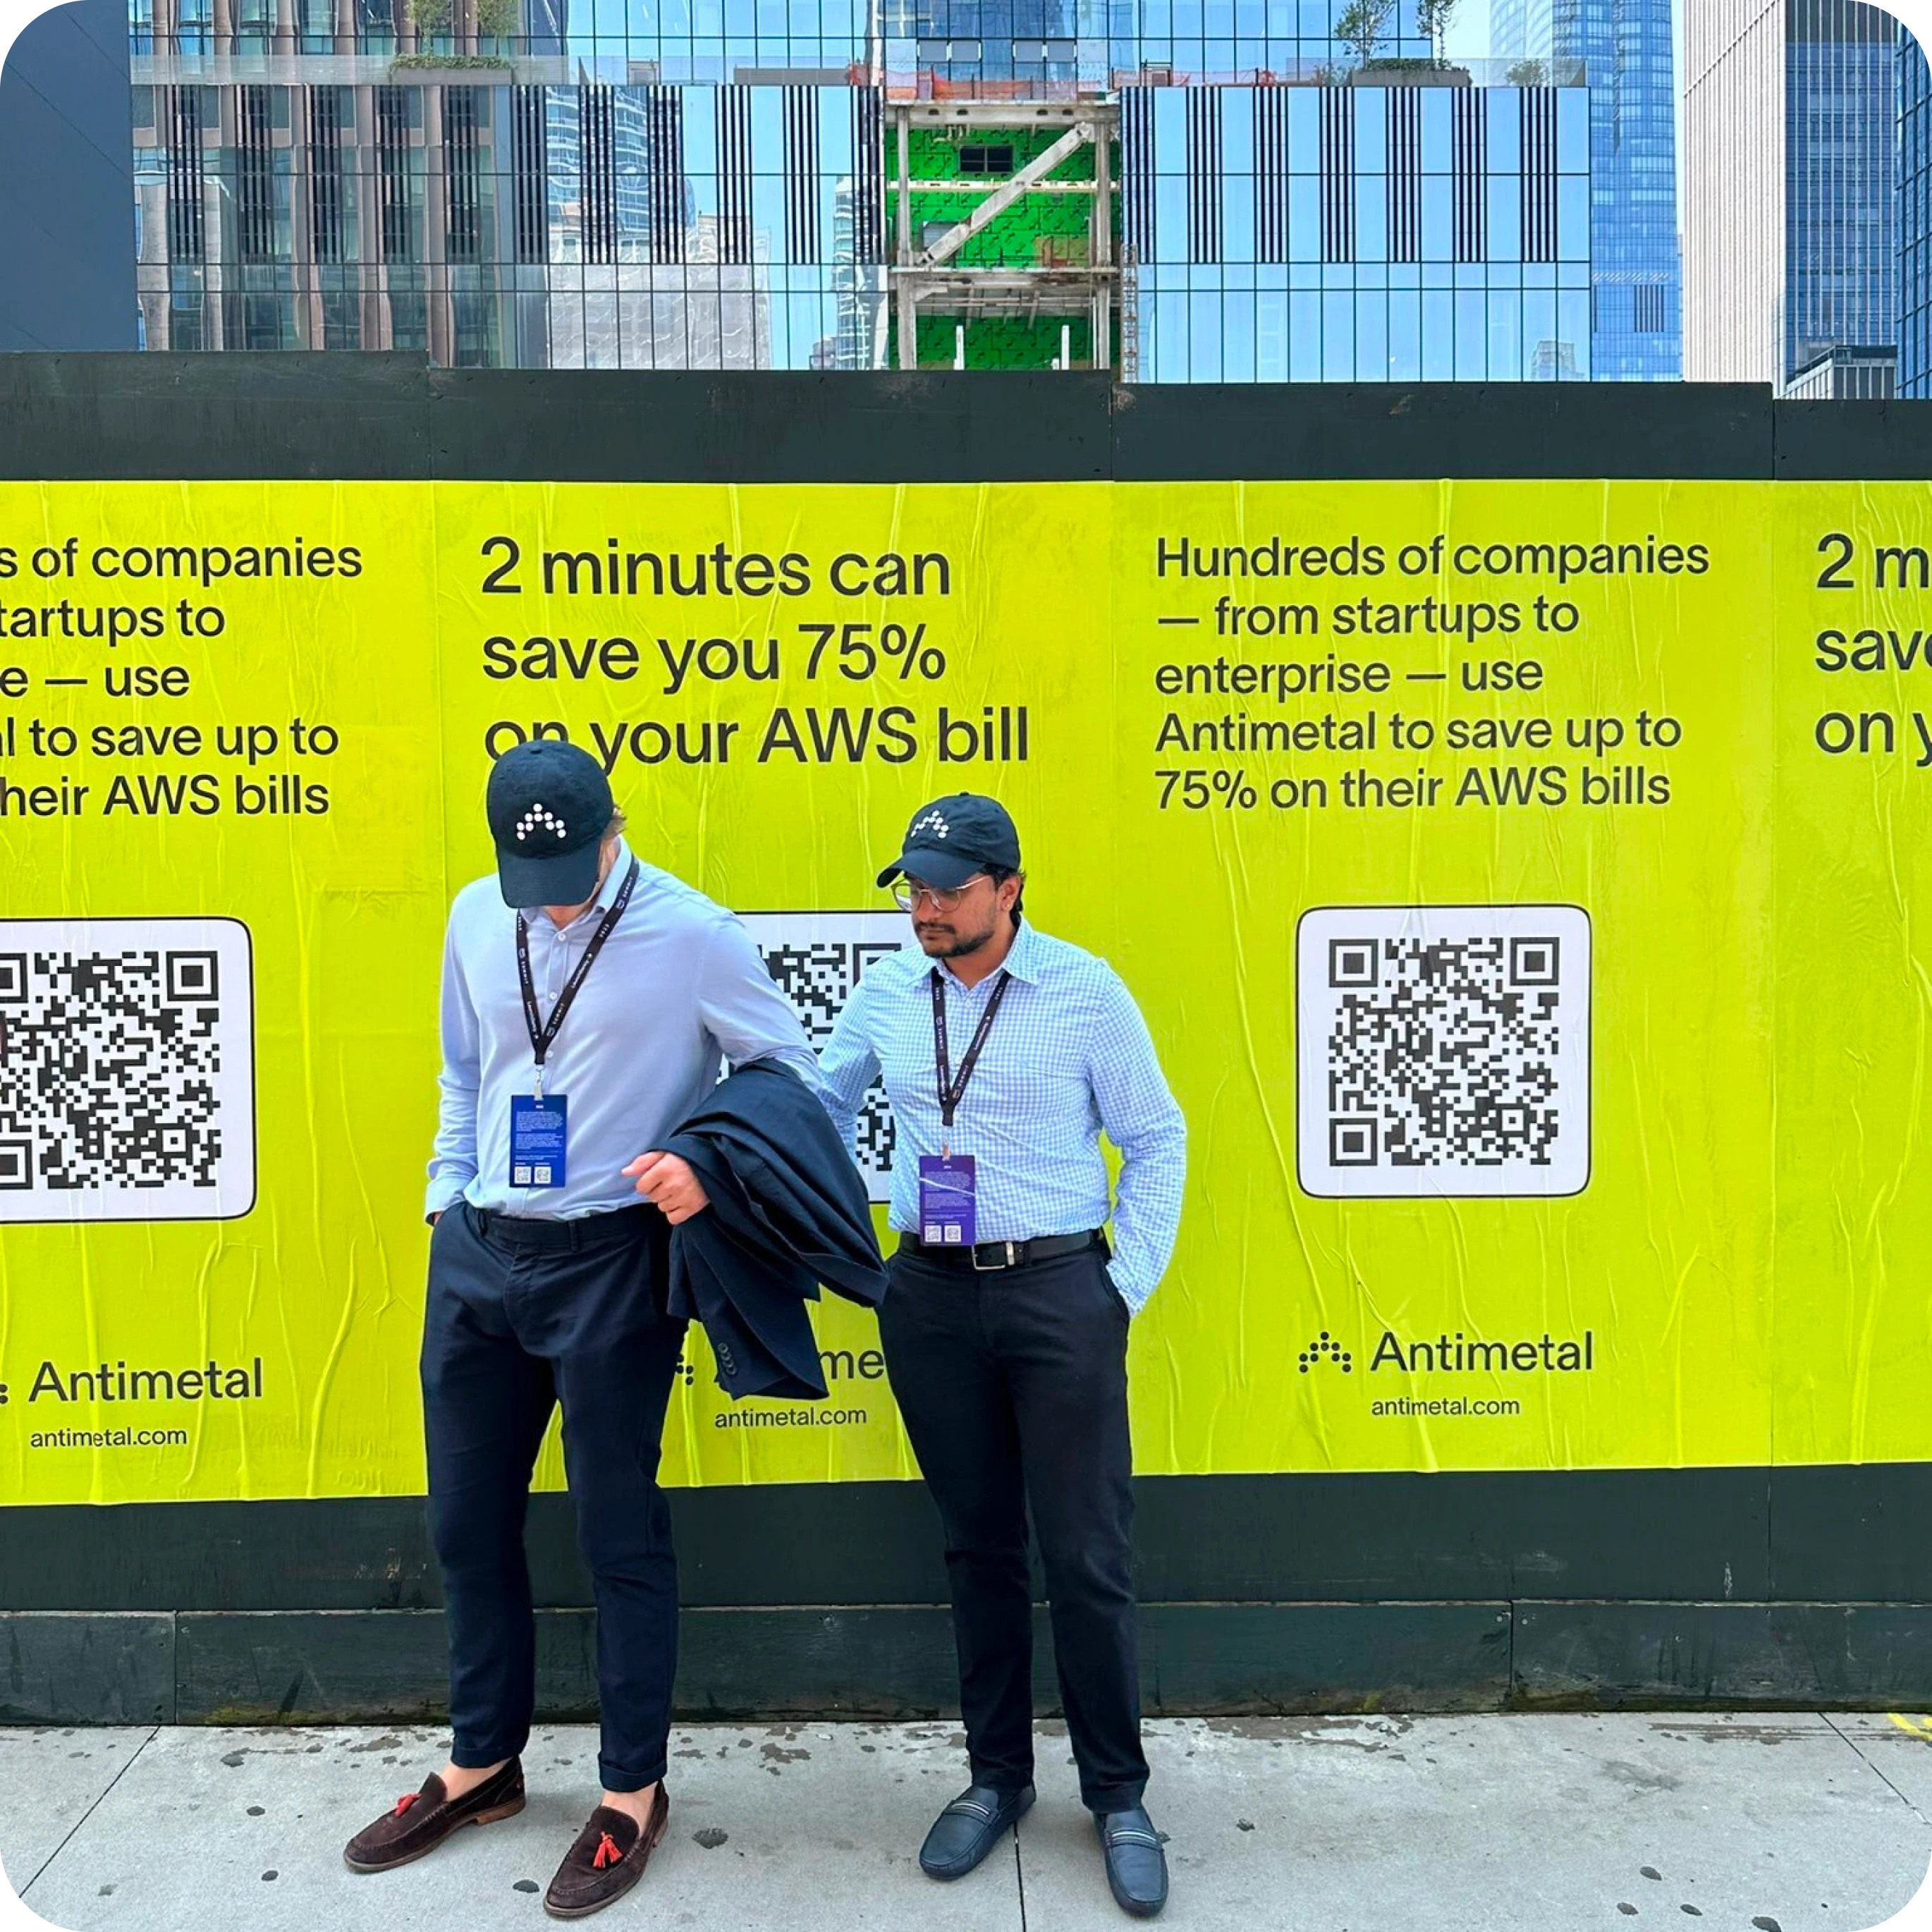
(540, 185)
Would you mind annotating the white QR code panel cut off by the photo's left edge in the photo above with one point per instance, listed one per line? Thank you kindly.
(127, 1071)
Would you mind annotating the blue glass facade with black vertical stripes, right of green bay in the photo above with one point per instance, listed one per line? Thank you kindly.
(1359, 235)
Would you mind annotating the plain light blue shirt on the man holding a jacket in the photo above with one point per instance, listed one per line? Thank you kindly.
(677, 990)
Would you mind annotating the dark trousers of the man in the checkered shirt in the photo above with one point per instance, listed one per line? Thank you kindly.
(1013, 1386)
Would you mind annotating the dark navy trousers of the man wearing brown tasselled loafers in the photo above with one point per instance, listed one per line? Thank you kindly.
(523, 1317)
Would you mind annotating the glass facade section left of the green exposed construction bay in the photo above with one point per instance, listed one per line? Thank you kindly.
(494, 200)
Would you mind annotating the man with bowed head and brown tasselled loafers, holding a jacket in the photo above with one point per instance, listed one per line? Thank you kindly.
(588, 1004)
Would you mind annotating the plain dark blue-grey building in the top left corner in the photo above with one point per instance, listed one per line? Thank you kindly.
(67, 183)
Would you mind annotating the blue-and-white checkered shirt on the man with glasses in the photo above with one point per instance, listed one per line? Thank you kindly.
(1069, 1058)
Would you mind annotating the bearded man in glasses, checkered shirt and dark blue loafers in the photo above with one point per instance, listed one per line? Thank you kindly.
(1006, 1056)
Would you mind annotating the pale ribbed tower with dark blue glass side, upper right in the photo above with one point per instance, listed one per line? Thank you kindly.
(1790, 196)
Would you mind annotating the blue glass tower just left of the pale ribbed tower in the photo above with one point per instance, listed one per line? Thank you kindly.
(1624, 51)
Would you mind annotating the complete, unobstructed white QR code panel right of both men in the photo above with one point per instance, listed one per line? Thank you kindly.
(1442, 1050)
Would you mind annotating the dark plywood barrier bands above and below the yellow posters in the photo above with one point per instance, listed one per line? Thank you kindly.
(1728, 1587)
